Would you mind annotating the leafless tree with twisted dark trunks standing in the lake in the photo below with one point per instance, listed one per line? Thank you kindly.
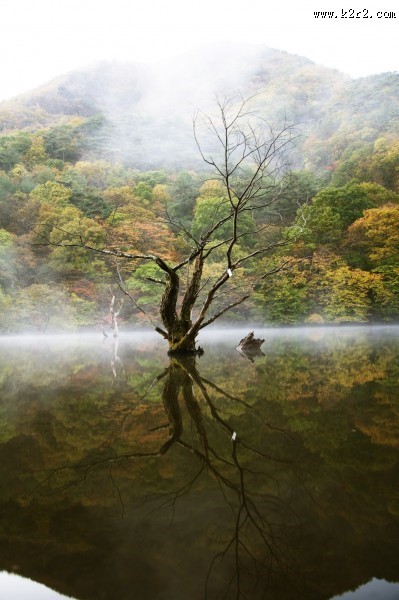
(248, 159)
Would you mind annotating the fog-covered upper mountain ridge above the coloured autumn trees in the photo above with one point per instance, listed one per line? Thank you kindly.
(142, 114)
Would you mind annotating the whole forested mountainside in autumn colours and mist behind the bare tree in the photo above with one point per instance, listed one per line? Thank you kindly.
(104, 154)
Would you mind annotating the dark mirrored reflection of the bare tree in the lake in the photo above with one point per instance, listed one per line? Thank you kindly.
(254, 545)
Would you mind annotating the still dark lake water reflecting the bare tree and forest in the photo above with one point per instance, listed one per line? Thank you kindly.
(126, 475)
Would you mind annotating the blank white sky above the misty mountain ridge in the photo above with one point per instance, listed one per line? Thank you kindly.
(41, 39)
